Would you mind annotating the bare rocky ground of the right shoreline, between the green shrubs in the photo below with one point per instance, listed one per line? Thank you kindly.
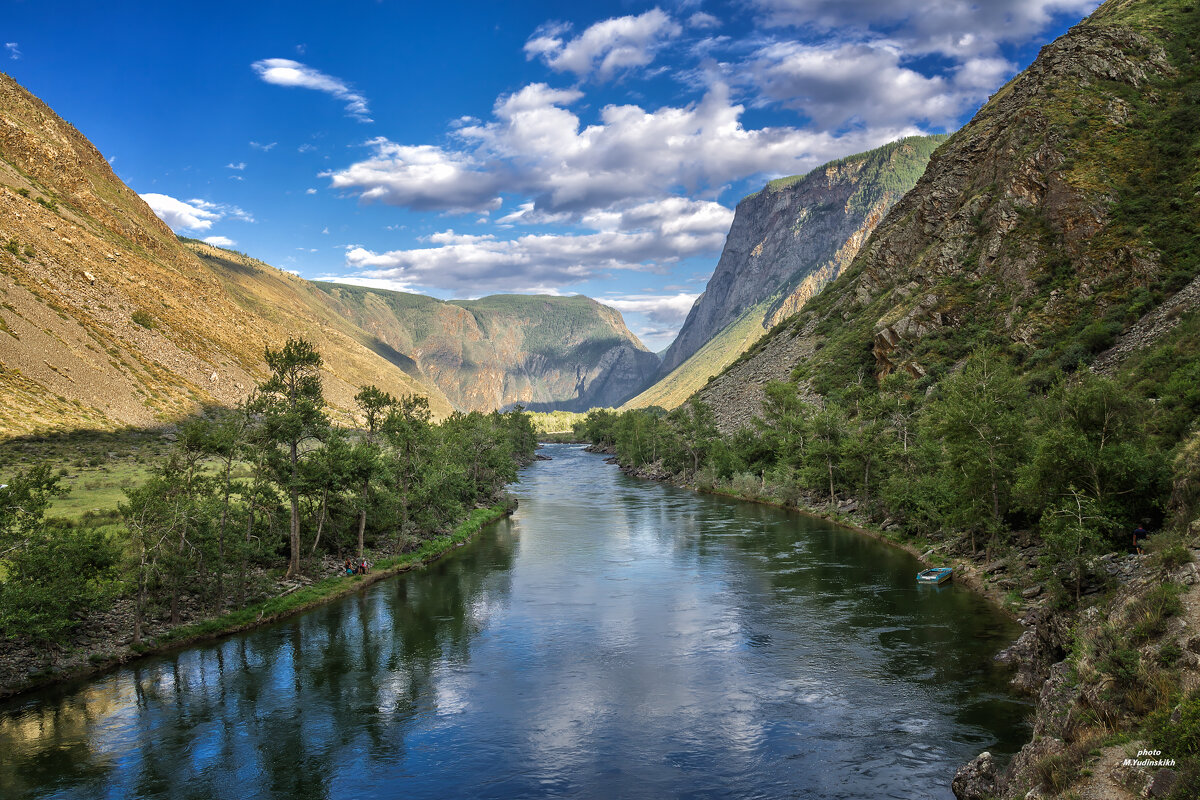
(1045, 659)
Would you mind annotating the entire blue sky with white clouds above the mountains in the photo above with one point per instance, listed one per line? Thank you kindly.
(463, 149)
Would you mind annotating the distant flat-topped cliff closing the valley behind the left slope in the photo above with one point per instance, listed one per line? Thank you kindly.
(539, 352)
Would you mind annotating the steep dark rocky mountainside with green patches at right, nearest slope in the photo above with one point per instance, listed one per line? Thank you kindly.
(1051, 228)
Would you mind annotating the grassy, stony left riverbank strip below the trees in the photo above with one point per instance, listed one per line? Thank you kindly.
(115, 649)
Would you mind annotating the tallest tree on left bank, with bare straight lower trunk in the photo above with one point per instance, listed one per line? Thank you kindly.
(292, 405)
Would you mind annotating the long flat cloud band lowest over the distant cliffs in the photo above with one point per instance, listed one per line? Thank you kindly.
(646, 237)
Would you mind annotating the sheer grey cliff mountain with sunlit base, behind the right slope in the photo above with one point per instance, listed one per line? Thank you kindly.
(787, 243)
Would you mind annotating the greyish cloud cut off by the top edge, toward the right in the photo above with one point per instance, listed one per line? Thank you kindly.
(956, 28)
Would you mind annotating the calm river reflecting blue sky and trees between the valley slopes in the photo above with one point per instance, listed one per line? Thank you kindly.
(615, 639)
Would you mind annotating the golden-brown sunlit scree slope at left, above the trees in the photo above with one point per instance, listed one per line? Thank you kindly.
(109, 321)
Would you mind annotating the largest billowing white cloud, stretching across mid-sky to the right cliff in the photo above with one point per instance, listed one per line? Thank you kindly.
(537, 147)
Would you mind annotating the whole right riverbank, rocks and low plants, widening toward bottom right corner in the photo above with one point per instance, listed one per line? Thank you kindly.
(1126, 654)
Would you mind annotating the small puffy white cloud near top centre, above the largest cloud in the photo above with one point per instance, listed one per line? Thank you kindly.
(607, 47)
